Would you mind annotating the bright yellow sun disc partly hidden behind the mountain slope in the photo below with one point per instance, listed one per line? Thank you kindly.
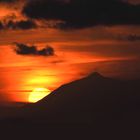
(37, 94)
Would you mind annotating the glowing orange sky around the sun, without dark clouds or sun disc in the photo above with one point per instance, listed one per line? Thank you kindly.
(105, 49)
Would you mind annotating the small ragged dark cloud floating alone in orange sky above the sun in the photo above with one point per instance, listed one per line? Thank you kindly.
(23, 49)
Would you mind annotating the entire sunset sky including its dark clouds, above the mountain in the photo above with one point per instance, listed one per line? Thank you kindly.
(83, 34)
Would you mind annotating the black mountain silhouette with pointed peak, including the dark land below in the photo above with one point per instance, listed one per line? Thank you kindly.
(94, 106)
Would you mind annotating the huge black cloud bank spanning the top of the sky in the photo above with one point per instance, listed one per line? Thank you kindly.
(84, 13)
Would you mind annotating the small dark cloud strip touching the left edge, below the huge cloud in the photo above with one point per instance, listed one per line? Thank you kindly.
(23, 24)
